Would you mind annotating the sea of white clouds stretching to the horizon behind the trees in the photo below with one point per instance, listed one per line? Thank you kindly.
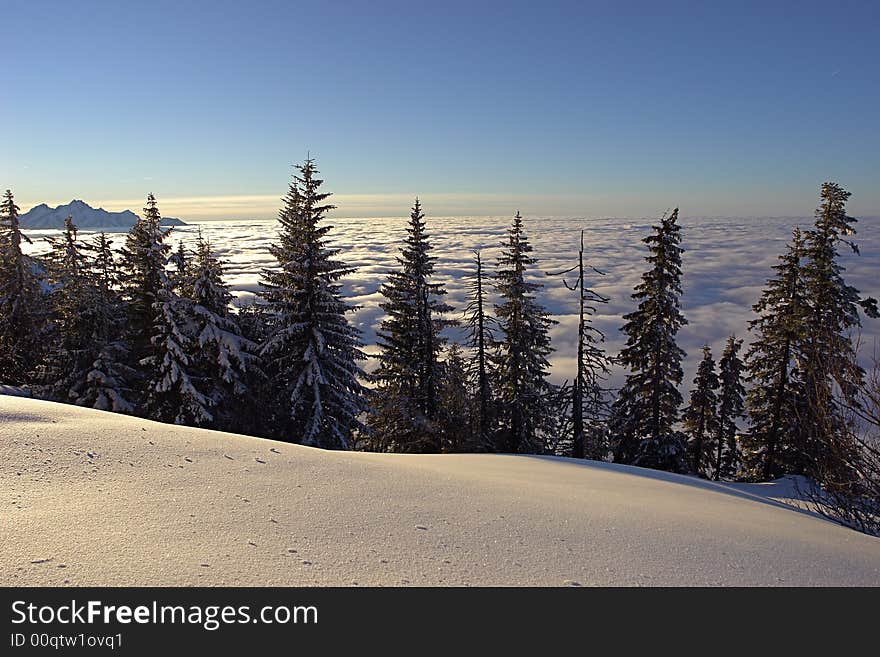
(726, 264)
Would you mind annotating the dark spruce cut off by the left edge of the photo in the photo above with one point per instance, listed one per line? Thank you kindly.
(22, 307)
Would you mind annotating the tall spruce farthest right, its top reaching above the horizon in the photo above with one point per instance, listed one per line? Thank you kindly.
(829, 367)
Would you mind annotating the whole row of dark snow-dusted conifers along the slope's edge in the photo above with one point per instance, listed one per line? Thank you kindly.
(145, 331)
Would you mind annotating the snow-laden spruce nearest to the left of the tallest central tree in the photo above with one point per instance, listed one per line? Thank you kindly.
(223, 360)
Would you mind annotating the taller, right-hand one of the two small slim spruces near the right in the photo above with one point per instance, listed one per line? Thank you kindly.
(730, 409)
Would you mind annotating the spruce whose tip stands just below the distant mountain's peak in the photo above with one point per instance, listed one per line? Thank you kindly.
(72, 303)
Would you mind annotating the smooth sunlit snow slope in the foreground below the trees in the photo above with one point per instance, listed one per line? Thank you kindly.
(92, 498)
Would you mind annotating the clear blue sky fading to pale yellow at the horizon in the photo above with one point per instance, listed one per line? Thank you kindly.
(586, 108)
